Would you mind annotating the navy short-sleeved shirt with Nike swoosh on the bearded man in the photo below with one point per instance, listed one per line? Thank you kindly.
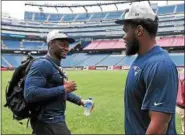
(151, 85)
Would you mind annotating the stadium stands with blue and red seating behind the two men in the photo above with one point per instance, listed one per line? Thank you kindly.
(98, 40)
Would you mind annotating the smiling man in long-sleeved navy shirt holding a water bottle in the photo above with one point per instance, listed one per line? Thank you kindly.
(46, 88)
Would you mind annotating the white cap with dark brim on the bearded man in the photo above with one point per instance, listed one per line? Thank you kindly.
(139, 10)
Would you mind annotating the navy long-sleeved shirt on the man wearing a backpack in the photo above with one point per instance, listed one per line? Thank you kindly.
(44, 86)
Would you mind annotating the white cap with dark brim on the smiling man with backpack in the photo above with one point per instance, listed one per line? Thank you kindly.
(57, 34)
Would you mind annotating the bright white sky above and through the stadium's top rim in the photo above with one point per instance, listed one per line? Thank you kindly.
(18, 8)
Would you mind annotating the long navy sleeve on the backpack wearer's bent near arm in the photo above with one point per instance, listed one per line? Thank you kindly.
(35, 83)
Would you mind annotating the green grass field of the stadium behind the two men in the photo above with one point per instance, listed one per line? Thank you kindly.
(106, 89)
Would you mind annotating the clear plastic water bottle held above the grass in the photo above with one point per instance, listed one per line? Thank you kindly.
(88, 106)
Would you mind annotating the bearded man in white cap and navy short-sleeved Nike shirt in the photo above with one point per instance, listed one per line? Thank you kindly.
(152, 81)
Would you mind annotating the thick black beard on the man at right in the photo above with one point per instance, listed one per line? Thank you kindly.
(132, 47)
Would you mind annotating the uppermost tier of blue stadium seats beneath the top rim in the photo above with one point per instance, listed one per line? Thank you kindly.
(34, 16)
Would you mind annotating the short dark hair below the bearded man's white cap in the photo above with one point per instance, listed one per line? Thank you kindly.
(148, 24)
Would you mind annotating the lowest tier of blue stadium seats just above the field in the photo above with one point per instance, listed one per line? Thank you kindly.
(84, 59)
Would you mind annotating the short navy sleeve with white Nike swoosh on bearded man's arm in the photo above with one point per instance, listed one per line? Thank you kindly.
(161, 82)
